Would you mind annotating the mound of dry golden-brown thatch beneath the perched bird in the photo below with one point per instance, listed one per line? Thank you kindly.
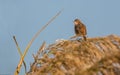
(96, 56)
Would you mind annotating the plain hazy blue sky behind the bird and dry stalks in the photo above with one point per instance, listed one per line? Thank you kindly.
(23, 18)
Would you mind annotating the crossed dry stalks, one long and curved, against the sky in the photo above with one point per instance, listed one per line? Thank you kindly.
(18, 68)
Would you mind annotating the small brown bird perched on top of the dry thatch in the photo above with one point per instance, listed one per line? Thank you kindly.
(80, 29)
